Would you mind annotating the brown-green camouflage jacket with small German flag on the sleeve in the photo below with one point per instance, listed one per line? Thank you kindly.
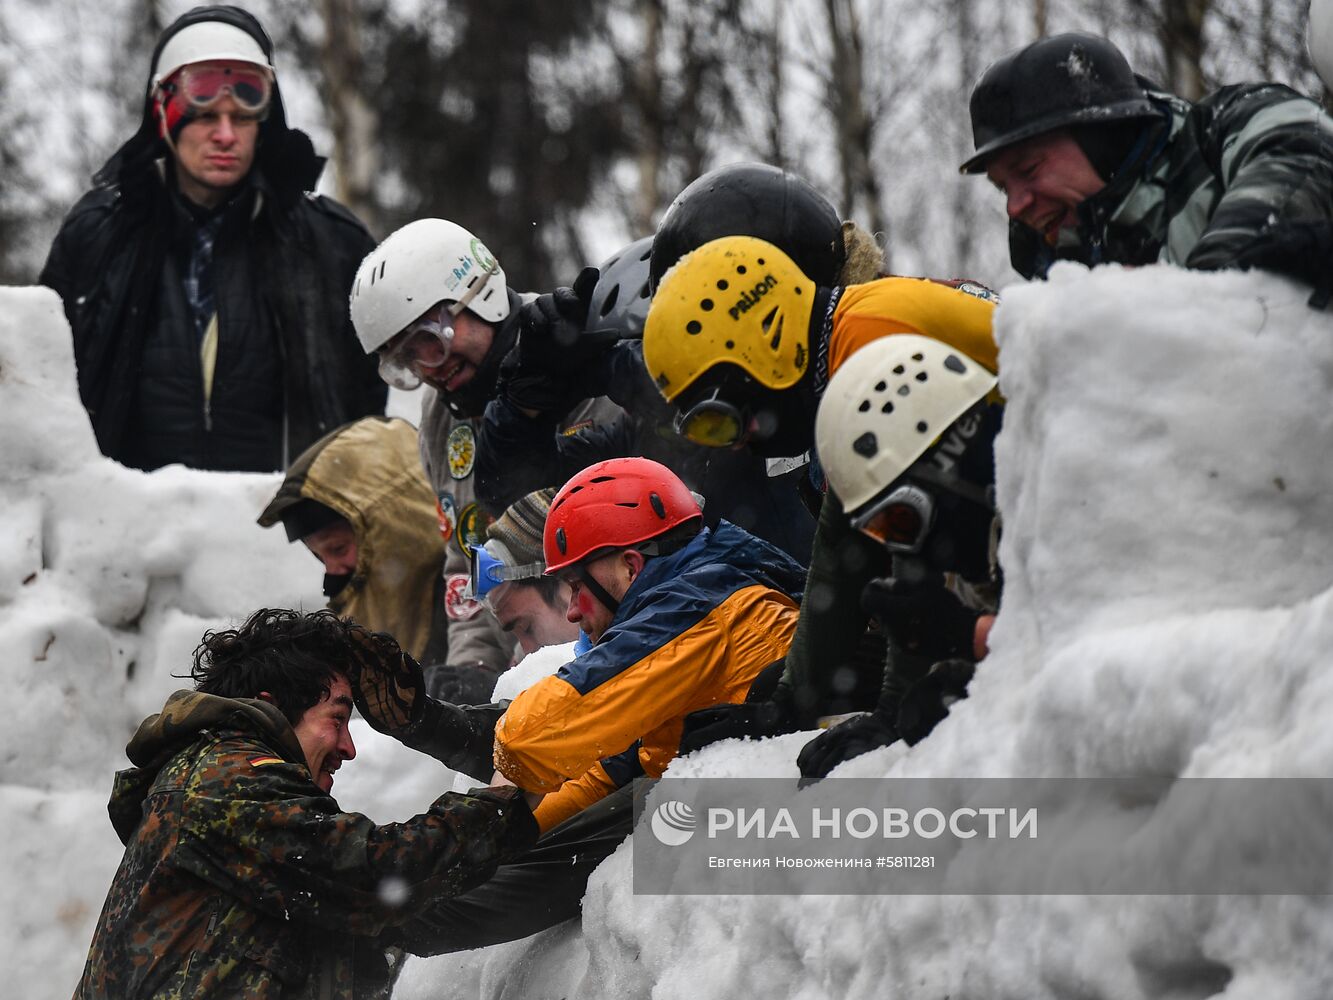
(243, 879)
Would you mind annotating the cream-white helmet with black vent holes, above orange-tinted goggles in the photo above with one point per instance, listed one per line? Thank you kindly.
(884, 409)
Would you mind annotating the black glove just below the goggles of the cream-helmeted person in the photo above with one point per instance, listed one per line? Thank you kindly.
(923, 617)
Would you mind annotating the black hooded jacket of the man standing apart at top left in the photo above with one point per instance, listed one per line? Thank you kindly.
(289, 366)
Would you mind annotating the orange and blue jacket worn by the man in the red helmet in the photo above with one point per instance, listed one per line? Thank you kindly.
(694, 630)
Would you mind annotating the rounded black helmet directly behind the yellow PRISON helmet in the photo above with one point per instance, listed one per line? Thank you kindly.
(754, 199)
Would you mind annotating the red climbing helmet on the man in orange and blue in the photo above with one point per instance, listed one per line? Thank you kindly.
(614, 505)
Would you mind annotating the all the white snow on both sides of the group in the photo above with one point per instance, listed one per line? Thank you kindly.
(1166, 483)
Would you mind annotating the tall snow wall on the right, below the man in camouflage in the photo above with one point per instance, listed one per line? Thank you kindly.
(1168, 550)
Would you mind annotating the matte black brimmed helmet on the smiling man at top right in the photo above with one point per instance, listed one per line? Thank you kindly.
(1063, 81)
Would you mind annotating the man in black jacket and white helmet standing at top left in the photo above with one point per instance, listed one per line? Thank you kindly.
(206, 287)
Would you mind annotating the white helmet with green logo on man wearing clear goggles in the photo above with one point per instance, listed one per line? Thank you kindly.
(422, 265)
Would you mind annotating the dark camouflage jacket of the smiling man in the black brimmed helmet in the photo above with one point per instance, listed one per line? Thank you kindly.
(1208, 186)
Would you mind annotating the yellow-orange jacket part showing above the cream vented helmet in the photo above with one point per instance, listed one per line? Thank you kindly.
(912, 306)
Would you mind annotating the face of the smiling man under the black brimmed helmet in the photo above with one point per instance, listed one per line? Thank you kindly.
(1044, 181)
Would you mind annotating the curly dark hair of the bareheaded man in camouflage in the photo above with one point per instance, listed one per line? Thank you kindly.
(293, 655)
